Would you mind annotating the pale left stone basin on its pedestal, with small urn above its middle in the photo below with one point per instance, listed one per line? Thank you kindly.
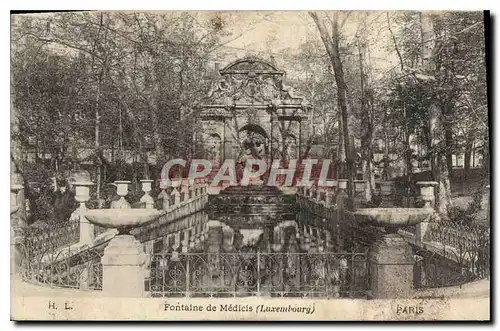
(124, 261)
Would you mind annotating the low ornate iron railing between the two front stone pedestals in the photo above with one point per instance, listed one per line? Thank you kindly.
(326, 275)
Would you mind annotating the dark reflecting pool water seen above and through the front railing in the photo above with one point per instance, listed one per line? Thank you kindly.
(300, 257)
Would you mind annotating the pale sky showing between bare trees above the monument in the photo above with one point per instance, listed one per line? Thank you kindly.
(263, 33)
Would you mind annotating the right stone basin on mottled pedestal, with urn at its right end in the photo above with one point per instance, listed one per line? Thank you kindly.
(391, 257)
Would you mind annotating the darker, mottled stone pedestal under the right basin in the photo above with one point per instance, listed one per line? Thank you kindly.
(391, 267)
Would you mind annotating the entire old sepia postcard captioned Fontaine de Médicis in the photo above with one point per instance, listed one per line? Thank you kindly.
(243, 165)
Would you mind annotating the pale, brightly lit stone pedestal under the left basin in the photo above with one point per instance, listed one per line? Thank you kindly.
(124, 268)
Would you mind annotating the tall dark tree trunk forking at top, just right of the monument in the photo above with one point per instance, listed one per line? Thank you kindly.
(332, 48)
